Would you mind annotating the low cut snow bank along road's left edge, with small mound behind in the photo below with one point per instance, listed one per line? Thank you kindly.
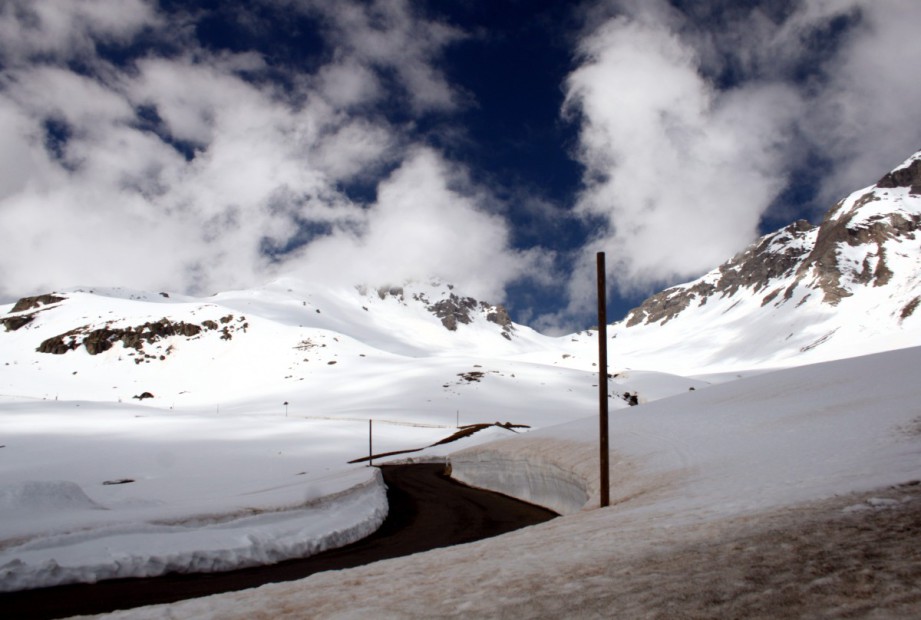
(151, 549)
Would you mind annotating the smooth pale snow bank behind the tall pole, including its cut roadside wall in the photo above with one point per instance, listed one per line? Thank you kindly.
(753, 444)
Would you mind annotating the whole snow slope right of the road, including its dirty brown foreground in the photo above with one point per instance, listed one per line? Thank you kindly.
(706, 486)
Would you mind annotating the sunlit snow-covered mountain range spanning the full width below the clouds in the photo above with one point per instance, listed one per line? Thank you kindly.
(805, 293)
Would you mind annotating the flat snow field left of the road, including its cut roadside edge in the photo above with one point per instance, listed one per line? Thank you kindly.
(91, 492)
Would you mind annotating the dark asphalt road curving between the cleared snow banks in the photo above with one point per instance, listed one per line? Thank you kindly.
(427, 510)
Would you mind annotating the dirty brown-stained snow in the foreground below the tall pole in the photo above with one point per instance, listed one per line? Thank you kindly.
(810, 562)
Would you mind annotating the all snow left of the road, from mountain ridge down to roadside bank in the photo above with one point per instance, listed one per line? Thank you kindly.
(257, 402)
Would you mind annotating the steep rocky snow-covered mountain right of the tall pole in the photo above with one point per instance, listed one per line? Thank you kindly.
(849, 286)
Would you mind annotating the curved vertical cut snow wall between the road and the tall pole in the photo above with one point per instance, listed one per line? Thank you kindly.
(557, 474)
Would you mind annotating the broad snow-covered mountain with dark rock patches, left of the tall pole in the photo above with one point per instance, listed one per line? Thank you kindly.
(106, 344)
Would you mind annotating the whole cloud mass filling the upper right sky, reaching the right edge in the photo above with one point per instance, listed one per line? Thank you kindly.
(692, 122)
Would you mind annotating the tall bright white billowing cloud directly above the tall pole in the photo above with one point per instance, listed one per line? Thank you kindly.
(678, 171)
